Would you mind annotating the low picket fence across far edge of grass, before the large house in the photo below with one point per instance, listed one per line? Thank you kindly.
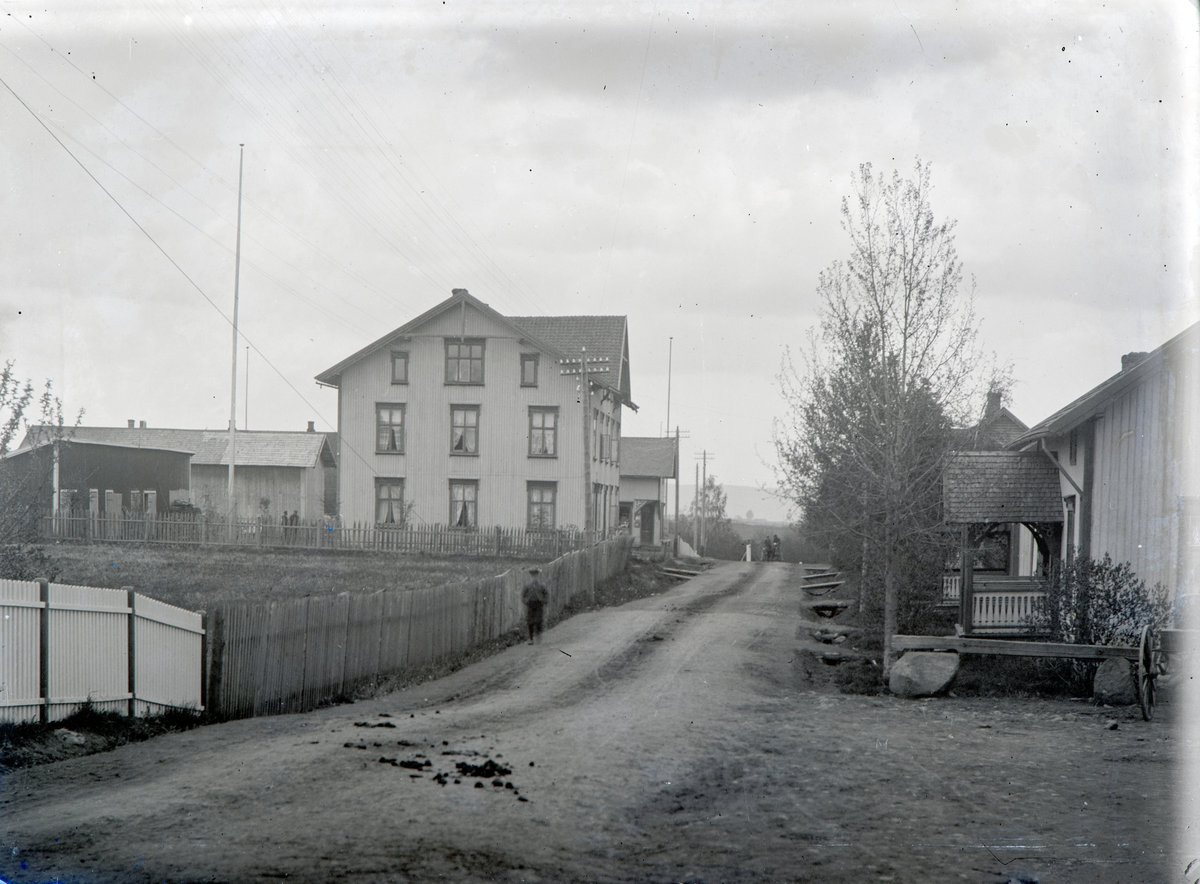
(193, 530)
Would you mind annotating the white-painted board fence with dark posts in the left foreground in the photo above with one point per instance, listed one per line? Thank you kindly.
(63, 646)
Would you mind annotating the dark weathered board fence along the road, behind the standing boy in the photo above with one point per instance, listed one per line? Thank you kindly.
(290, 657)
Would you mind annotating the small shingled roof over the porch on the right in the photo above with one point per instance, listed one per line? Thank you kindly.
(1001, 486)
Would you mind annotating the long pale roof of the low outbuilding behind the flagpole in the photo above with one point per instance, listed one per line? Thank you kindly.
(256, 448)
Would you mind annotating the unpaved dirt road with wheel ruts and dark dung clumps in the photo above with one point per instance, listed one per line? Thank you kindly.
(673, 739)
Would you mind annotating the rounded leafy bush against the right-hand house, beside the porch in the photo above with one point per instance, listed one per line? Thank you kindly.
(1099, 603)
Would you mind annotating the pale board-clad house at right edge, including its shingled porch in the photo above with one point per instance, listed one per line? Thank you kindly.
(1113, 473)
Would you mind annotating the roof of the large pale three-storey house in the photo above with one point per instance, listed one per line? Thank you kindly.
(560, 336)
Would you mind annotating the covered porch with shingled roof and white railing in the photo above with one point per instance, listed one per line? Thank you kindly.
(1009, 509)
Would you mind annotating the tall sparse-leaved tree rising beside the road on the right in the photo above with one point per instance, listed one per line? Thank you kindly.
(889, 372)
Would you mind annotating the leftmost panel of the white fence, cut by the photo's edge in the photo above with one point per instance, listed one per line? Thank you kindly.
(21, 650)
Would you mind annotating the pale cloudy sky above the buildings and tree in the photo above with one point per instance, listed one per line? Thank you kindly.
(680, 164)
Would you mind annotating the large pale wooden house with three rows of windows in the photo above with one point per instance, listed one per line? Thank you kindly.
(471, 419)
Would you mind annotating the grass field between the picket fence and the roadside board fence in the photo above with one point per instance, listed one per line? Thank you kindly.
(200, 579)
